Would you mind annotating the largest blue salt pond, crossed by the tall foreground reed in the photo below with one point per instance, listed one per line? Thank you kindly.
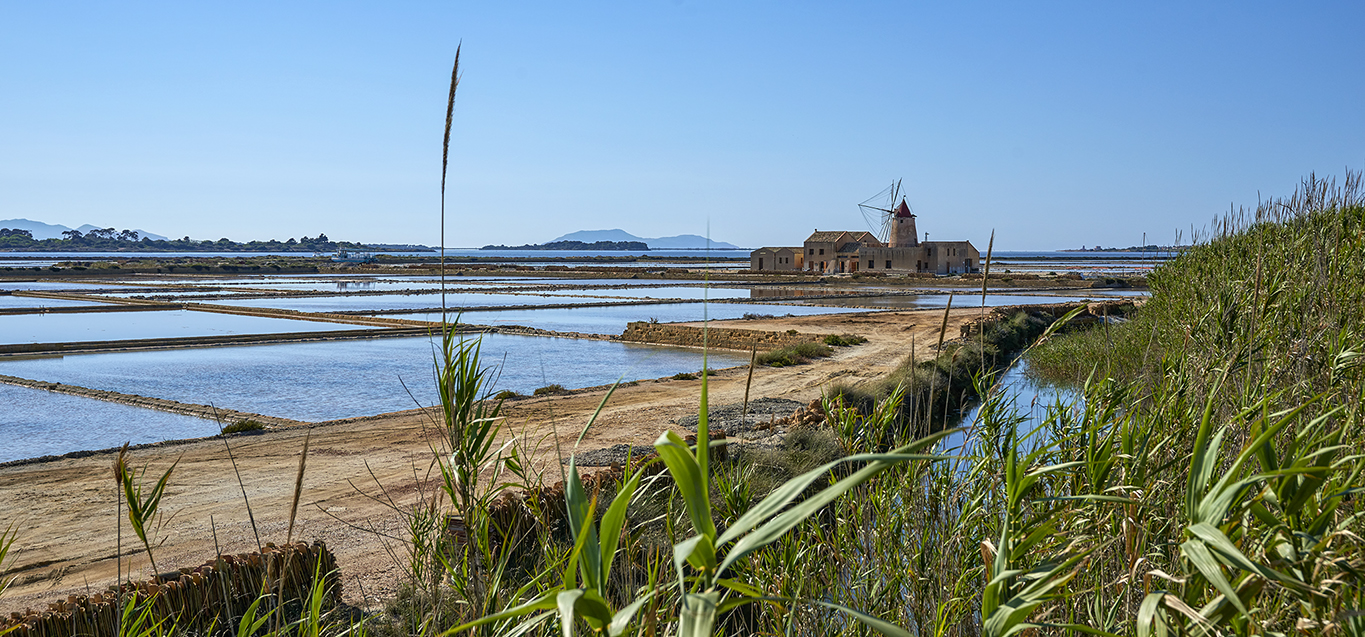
(326, 381)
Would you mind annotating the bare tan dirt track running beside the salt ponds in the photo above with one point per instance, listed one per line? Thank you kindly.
(361, 471)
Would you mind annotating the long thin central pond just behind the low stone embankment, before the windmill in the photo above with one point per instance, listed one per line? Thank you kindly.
(614, 320)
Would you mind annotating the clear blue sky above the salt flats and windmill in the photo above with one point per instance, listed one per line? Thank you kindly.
(1054, 123)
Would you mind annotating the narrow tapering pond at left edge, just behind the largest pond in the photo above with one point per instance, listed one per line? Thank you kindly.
(169, 324)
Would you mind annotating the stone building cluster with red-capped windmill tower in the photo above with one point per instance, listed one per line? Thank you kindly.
(850, 252)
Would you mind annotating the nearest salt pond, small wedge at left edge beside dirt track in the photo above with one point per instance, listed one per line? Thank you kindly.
(44, 424)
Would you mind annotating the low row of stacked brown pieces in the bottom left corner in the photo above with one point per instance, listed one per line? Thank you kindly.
(207, 599)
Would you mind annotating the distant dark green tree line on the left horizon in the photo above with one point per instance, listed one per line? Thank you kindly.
(110, 239)
